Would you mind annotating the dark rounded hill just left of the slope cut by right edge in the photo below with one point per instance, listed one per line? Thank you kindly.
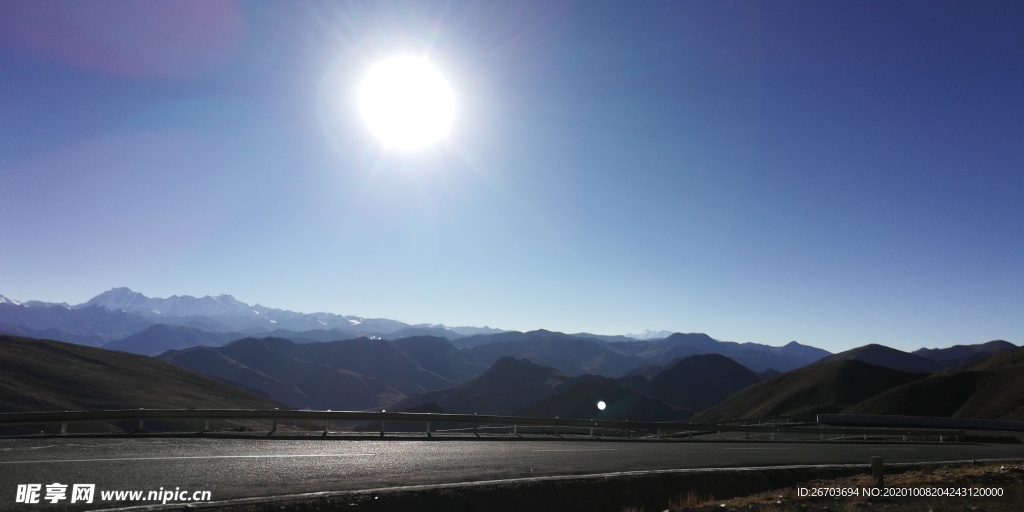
(826, 388)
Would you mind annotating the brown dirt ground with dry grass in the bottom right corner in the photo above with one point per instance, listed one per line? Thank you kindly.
(965, 488)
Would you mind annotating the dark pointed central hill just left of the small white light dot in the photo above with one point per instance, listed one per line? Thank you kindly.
(508, 387)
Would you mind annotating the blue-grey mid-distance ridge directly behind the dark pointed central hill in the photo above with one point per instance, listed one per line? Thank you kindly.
(570, 355)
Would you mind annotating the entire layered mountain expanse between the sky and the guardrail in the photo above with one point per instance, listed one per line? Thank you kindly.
(326, 361)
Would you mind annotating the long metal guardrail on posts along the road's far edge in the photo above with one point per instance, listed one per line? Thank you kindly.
(431, 419)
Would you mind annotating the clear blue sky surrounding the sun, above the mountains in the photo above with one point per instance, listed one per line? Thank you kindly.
(837, 174)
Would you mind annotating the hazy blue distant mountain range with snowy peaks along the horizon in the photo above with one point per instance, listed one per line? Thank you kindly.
(124, 320)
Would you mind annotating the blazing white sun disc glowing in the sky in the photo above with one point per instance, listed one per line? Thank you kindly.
(407, 103)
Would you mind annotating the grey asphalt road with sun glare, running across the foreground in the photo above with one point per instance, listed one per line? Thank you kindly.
(245, 468)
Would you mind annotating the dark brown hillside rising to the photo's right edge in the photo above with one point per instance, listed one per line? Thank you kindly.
(992, 389)
